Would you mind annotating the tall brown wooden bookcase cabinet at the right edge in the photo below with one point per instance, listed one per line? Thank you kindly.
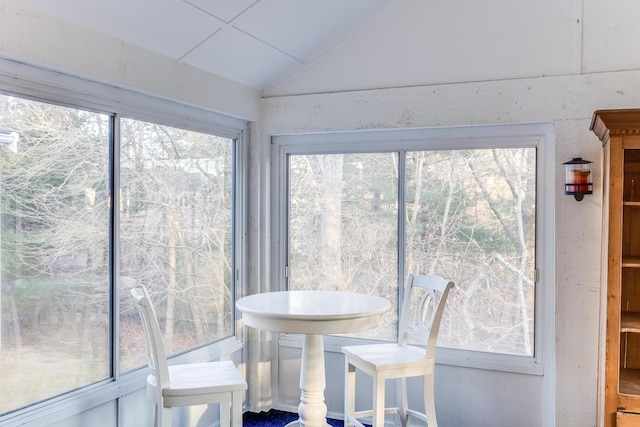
(619, 131)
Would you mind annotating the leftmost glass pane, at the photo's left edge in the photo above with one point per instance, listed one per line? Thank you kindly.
(54, 189)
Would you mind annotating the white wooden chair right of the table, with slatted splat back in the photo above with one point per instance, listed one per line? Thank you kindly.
(419, 323)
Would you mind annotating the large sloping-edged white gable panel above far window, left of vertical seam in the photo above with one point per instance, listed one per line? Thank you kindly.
(411, 43)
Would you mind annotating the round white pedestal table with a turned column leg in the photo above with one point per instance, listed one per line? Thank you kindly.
(312, 313)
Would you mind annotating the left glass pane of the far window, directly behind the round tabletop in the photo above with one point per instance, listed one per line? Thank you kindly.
(343, 226)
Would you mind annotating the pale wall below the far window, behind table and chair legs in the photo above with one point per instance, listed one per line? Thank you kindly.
(488, 398)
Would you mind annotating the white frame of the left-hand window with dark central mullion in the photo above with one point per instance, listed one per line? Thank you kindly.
(50, 86)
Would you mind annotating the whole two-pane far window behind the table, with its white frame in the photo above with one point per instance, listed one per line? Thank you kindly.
(384, 204)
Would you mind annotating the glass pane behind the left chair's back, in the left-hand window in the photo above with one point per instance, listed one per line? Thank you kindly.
(175, 235)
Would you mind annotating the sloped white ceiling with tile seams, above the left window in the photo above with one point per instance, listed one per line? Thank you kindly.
(253, 42)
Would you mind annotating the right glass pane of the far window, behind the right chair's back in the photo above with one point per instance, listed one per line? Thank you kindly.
(471, 218)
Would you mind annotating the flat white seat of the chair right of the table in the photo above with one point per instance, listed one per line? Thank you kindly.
(388, 357)
